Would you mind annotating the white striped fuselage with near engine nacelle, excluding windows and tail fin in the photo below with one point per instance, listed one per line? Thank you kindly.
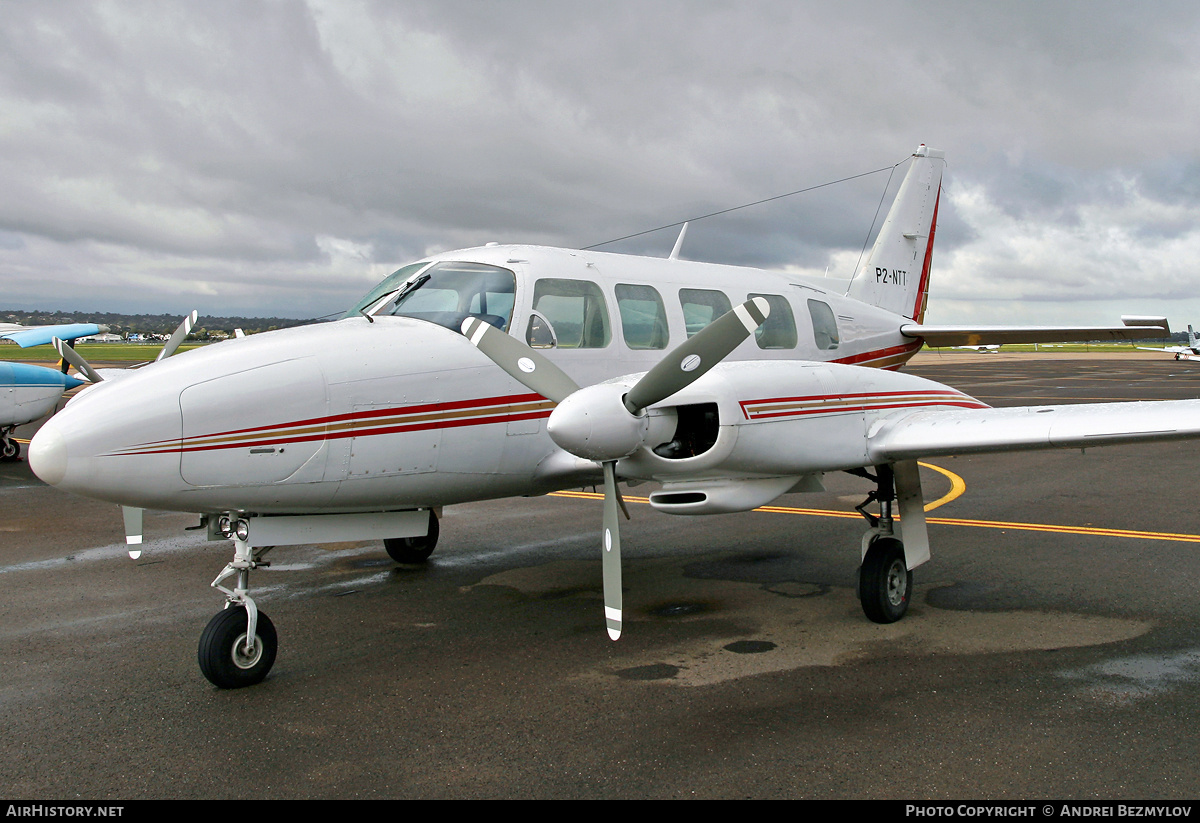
(362, 416)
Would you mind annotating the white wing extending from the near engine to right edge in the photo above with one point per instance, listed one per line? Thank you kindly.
(1079, 426)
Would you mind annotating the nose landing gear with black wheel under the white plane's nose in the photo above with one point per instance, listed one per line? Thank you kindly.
(238, 647)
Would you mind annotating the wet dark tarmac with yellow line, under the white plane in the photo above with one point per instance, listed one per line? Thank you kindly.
(1052, 650)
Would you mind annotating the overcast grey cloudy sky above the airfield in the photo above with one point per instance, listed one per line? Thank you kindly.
(279, 158)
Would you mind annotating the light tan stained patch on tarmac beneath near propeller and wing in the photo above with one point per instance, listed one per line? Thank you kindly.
(728, 630)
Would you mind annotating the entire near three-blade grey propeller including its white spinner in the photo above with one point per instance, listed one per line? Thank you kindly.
(604, 423)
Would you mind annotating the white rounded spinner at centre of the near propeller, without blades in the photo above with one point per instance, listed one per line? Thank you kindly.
(595, 424)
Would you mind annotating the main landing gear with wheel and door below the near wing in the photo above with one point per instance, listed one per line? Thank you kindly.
(885, 580)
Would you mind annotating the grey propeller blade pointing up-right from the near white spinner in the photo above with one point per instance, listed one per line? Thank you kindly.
(688, 362)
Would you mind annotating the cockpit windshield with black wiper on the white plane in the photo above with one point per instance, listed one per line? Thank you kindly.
(445, 293)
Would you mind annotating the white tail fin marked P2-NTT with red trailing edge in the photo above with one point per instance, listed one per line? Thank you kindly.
(896, 277)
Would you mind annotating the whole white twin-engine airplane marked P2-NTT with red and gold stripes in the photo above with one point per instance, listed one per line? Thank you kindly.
(511, 371)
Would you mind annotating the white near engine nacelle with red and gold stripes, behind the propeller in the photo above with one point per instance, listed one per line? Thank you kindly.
(771, 420)
